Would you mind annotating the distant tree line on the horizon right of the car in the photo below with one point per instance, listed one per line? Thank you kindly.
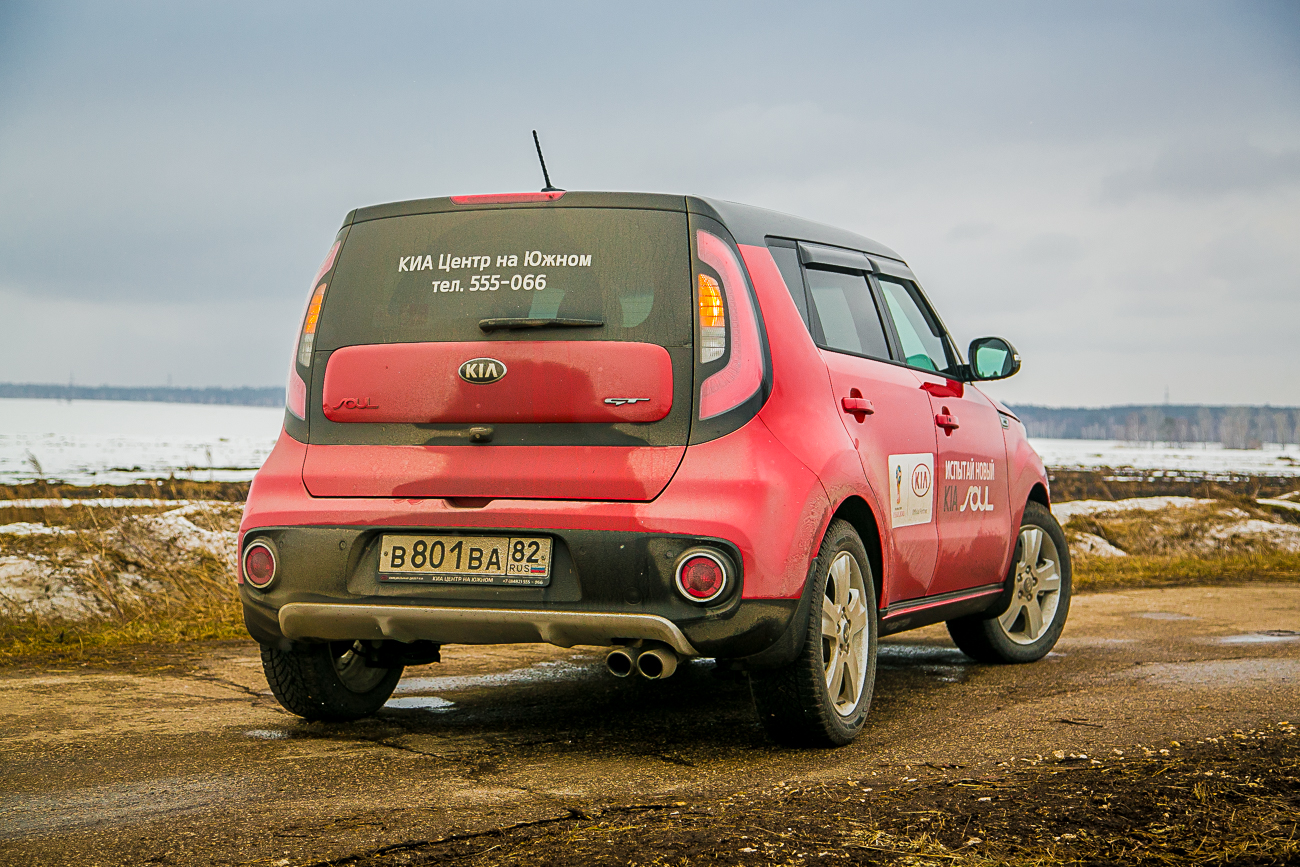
(1233, 427)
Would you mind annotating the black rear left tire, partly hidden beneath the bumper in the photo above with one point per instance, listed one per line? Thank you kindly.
(328, 682)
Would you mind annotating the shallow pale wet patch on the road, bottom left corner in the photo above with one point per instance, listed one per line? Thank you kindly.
(112, 805)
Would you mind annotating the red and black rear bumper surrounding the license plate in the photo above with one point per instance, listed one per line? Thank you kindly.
(613, 570)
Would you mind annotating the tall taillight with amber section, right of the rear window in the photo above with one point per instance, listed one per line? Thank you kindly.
(743, 376)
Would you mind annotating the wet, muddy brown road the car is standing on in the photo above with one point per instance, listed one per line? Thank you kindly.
(200, 765)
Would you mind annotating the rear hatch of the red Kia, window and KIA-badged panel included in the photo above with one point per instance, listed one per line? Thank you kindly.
(484, 348)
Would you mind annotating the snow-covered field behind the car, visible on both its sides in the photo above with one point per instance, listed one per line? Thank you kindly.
(118, 443)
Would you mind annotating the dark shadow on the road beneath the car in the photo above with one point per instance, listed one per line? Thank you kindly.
(575, 704)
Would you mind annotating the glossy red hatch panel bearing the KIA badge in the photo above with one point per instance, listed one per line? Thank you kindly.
(552, 382)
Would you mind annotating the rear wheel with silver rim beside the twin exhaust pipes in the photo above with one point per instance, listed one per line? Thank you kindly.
(796, 703)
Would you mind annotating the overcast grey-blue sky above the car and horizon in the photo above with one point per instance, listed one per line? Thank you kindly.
(1112, 187)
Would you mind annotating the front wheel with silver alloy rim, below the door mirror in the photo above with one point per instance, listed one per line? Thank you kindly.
(1009, 636)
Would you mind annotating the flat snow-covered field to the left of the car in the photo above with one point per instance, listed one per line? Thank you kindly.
(118, 443)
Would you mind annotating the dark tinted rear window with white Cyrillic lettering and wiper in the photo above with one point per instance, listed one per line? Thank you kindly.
(435, 278)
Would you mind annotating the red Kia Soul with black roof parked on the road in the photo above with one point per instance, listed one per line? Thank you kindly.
(666, 426)
